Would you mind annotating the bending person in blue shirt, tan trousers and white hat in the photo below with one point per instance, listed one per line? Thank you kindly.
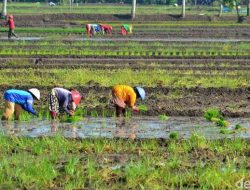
(16, 100)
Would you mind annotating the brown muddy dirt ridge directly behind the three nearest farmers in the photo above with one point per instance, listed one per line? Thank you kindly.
(163, 100)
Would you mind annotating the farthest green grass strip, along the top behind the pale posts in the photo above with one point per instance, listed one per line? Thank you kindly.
(40, 8)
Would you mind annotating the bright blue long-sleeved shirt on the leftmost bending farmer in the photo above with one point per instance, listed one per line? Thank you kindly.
(21, 97)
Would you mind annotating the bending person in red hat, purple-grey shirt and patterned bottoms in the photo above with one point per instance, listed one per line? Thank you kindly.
(62, 100)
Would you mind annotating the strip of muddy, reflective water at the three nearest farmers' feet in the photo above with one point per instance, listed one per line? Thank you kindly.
(151, 127)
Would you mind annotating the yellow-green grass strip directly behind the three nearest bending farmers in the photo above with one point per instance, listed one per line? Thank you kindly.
(81, 77)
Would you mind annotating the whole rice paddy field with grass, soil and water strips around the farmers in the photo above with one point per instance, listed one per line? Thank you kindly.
(192, 131)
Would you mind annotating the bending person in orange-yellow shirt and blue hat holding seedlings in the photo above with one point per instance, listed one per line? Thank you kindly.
(124, 96)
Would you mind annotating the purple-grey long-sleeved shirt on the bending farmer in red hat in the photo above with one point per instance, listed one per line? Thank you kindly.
(64, 98)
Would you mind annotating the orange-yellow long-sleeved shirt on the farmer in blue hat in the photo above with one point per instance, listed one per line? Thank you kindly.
(125, 93)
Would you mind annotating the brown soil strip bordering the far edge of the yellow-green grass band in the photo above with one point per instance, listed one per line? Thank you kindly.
(195, 64)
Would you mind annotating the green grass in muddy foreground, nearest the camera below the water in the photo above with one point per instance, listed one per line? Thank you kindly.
(57, 162)
